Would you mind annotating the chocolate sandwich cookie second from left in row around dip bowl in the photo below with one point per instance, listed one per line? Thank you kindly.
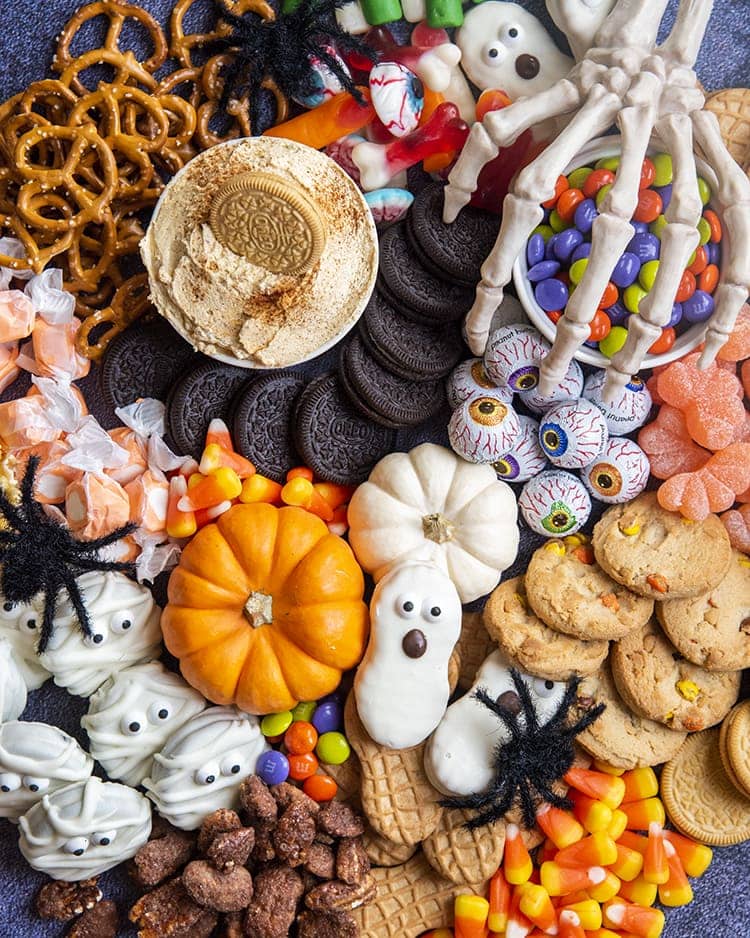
(204, 393)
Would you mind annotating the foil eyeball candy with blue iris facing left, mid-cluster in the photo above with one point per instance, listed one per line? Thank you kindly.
(572, 434)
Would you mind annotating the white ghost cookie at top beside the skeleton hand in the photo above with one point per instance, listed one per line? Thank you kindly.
(505, 47)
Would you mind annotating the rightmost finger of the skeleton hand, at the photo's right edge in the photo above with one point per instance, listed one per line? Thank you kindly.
(733, 201)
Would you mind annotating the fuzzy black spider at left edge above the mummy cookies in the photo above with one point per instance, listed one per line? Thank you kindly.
(40, 555)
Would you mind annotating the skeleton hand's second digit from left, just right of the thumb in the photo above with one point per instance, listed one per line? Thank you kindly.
(522, 209)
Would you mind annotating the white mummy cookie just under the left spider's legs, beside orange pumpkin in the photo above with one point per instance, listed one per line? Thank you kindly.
(125, 624)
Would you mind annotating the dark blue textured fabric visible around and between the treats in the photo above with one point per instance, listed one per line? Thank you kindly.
(27, 32)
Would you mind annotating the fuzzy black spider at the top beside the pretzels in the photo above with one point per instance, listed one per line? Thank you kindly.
(282, 49)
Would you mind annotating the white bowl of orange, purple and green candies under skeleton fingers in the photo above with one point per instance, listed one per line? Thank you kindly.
(556, 256)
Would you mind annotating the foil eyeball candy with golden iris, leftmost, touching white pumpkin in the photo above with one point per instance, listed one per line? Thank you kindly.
(483, 429)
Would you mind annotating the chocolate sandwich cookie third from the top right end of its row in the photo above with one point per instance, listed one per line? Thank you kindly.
(408, 348)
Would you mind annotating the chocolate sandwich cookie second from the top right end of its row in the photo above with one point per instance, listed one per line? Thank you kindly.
(417, 293)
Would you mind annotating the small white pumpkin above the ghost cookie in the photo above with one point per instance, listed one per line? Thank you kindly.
(432, 506)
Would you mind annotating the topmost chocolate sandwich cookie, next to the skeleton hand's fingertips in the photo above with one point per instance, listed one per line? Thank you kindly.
(453, 252)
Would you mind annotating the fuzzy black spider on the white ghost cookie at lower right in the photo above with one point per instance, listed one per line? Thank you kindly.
(531, 761)
